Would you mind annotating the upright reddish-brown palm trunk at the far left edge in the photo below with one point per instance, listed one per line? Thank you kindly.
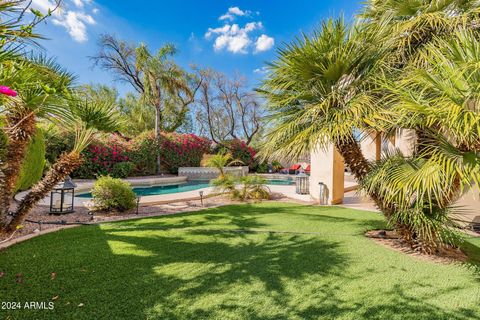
(21, 128)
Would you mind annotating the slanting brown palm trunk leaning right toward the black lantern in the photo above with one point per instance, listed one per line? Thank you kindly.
(65, 164)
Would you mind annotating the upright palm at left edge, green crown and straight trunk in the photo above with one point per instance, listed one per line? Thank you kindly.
(41, 87)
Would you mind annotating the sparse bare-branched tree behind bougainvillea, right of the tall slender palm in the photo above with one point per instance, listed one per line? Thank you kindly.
(226, 109)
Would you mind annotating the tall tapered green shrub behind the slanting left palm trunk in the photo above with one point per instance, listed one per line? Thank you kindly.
(33, 164)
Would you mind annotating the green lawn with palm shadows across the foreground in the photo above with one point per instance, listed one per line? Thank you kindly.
(316, 265)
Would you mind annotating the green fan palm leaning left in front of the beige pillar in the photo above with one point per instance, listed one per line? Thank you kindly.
(317, 93)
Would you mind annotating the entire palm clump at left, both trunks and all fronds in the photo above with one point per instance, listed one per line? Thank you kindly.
(33, 89)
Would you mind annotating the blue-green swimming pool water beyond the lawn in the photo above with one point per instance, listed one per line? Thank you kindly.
(184, 187)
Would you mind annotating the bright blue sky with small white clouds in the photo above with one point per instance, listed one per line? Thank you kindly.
(230, 36)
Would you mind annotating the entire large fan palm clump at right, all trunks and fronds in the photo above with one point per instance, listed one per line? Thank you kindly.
(385, 74)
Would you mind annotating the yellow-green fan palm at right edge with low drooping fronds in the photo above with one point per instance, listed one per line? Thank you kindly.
(441, 97)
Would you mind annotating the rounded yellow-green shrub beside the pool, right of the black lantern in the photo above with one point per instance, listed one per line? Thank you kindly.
(112, 194)
